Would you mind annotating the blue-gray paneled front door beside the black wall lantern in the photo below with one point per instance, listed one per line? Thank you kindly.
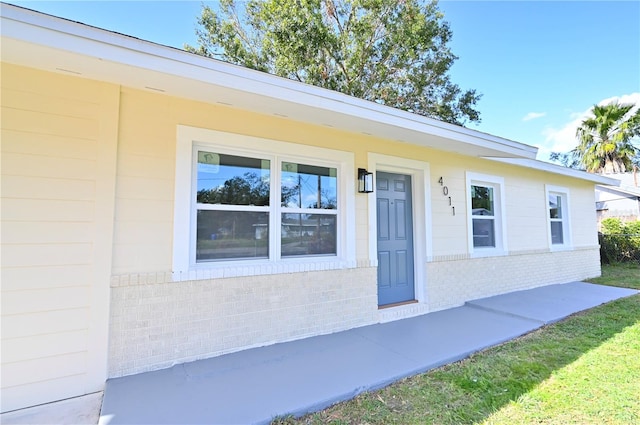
(395, 238)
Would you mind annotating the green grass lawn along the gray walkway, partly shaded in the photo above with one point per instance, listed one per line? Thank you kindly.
(582, 370)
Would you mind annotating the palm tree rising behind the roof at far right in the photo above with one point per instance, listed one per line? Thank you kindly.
(606, 140)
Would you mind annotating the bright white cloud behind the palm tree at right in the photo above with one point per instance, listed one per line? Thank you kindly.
(563, 139)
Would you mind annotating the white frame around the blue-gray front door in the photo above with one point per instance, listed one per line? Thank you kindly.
(421, 214)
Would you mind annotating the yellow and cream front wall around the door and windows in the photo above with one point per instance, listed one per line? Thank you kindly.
(157, 321)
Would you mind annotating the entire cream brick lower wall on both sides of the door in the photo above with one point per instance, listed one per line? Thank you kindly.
(156, 322)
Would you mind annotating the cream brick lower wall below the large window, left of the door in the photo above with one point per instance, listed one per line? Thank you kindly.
(156, 322)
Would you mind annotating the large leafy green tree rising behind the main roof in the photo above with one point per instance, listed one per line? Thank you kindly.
(393, 52)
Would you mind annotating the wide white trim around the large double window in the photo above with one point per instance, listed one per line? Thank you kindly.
(184, 266)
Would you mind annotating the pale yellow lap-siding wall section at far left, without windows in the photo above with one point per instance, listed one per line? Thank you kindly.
(59, 140)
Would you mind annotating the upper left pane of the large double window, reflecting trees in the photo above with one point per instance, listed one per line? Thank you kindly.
(232, 180)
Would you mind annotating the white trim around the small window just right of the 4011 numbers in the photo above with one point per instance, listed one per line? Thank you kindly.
(500, 221)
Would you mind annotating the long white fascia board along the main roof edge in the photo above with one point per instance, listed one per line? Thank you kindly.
(41, 29)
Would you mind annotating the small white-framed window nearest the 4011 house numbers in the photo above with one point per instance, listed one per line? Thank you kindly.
(485, 214)
